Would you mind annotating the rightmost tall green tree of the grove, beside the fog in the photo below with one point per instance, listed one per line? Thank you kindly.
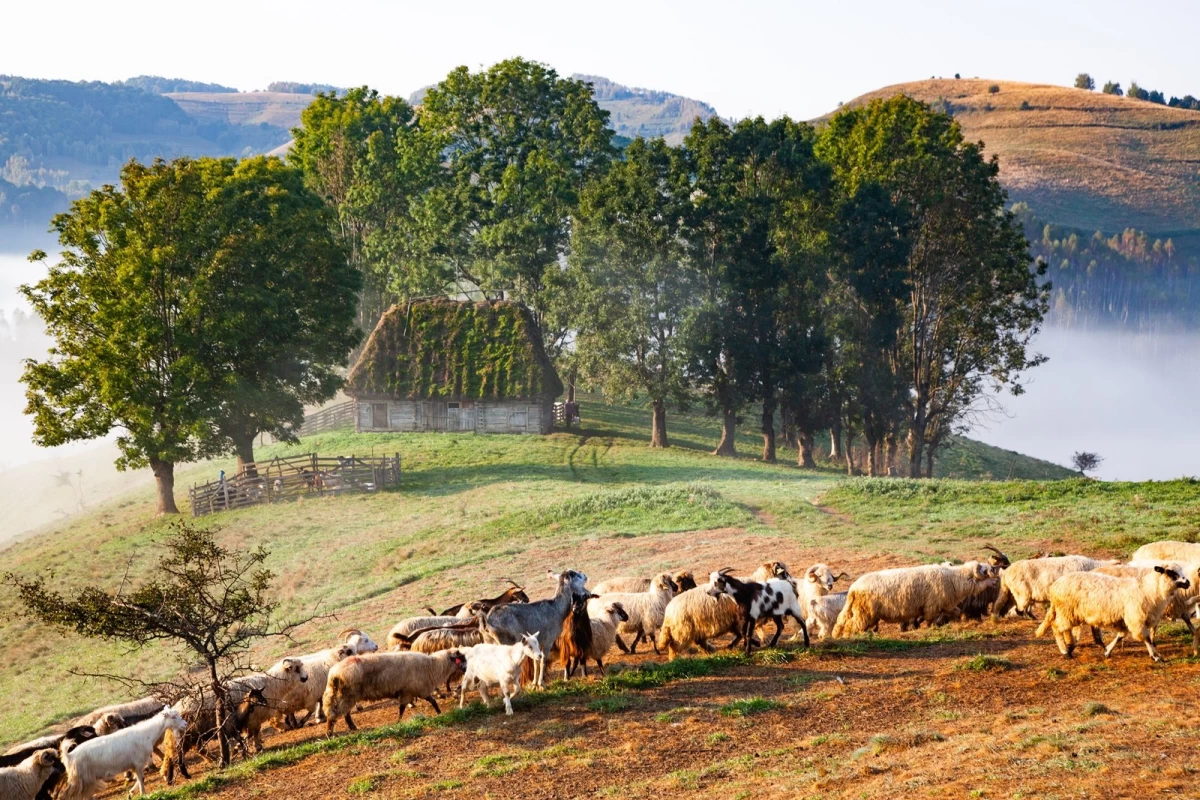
(973, 302)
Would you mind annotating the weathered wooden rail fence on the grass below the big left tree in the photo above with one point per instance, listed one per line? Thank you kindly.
(293, 478)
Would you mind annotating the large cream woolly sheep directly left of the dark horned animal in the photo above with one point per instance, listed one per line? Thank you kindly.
(908, 596)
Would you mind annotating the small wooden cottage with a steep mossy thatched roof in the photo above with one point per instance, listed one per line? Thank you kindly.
(445, 365)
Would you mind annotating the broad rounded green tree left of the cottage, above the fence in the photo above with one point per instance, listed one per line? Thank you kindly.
(175, 296)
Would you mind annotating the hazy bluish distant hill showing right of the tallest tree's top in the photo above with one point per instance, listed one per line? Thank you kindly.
(643, 112)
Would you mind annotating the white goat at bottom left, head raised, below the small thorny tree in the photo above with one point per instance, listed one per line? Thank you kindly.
(94, 763)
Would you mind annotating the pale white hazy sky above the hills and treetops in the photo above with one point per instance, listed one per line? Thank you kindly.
(743, 58)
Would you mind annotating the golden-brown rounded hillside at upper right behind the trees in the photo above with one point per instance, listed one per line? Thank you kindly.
(1081, 159)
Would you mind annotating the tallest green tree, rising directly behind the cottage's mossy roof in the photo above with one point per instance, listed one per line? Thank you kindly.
(519, 145)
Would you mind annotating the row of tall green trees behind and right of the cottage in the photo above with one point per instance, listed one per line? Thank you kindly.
(863, 278)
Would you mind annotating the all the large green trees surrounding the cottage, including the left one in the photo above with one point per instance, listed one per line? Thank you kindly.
(863, 278)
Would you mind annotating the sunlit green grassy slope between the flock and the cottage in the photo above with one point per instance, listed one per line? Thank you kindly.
(476, 509)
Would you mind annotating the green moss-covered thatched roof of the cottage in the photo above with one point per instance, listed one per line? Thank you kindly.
(447, 350)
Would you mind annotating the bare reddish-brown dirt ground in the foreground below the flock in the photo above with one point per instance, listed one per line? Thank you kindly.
(896, 718)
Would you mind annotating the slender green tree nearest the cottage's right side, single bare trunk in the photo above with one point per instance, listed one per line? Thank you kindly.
(632, 284)
